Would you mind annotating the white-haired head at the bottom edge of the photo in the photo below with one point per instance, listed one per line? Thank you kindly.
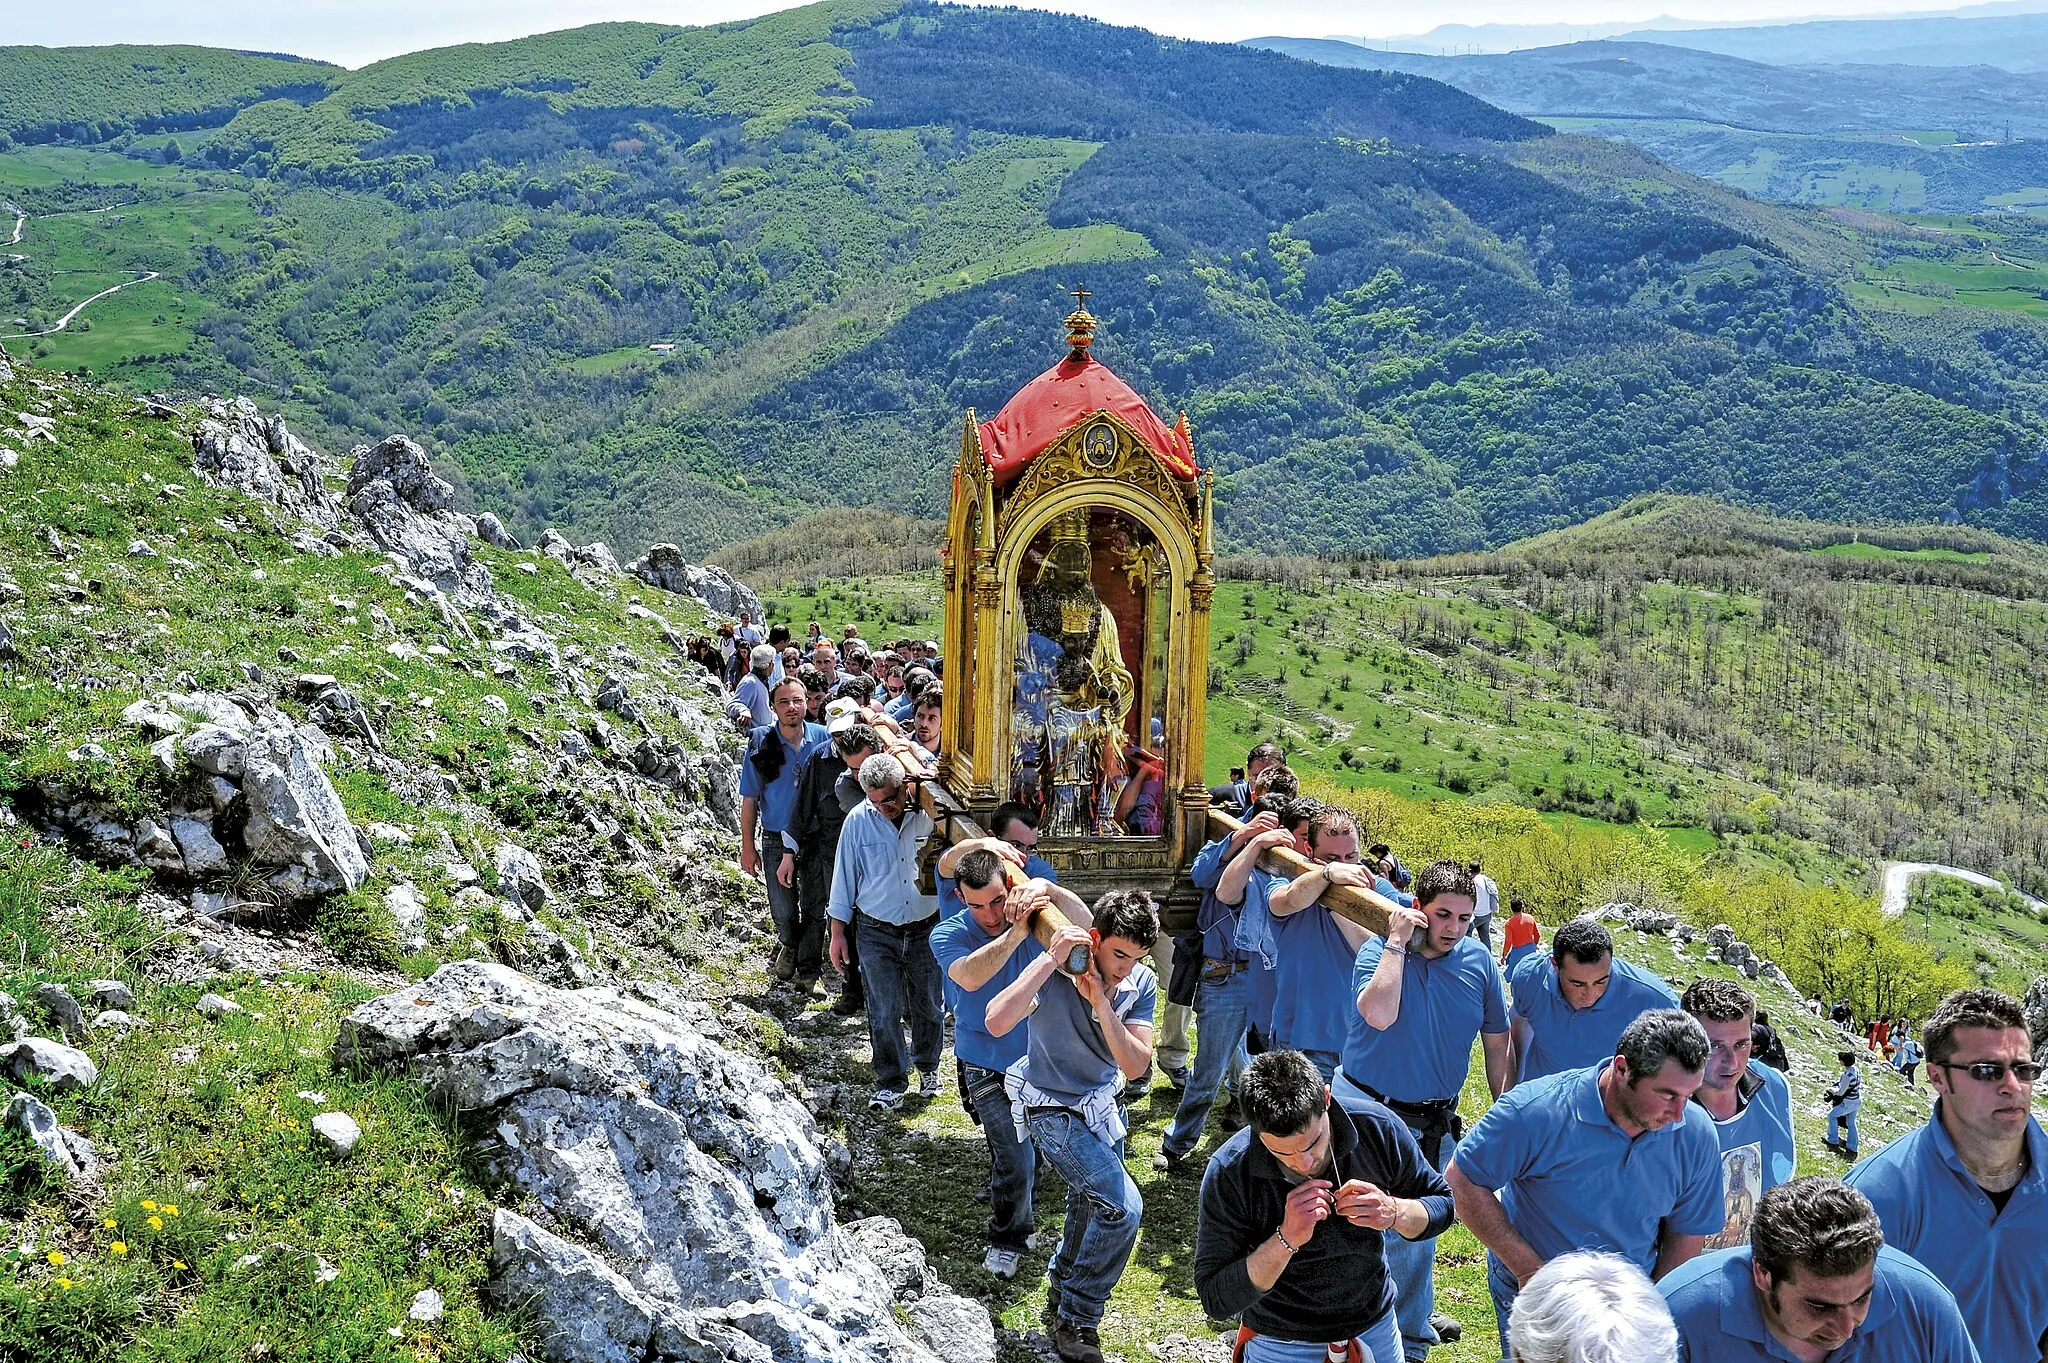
(1590, 1309)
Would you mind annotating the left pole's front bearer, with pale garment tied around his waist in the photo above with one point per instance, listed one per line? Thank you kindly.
(1089, 1037)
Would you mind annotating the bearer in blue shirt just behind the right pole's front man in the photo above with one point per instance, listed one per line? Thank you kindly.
(1316, 949)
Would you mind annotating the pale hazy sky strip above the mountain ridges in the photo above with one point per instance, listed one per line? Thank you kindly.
(357, 32)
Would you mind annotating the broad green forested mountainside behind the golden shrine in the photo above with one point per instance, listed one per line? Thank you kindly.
(853, 222)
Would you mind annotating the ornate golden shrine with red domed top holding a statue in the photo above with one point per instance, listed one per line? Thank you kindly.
(1078, 588)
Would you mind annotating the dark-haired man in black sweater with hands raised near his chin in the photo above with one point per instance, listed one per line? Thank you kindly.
(1295, 1211)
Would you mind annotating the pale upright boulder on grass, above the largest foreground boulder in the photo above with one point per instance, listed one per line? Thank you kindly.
(296, 820)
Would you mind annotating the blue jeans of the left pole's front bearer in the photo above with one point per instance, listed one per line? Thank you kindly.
(1103, 1215)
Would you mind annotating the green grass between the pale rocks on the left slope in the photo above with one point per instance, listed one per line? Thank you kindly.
(206, 1116)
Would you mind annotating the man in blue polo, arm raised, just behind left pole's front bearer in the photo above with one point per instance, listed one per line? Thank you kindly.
(984, 951)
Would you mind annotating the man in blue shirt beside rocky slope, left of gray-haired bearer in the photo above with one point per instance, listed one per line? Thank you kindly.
(767, 809)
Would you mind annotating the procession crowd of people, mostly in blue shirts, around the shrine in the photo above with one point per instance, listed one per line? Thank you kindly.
(1635, 1180)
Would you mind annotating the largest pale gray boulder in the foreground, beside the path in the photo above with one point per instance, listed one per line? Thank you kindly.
(689, 1174)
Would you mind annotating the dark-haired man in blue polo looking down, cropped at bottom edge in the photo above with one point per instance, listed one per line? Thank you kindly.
(1816, 1284)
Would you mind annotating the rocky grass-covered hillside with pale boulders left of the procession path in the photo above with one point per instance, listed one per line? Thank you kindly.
(374, 953)
